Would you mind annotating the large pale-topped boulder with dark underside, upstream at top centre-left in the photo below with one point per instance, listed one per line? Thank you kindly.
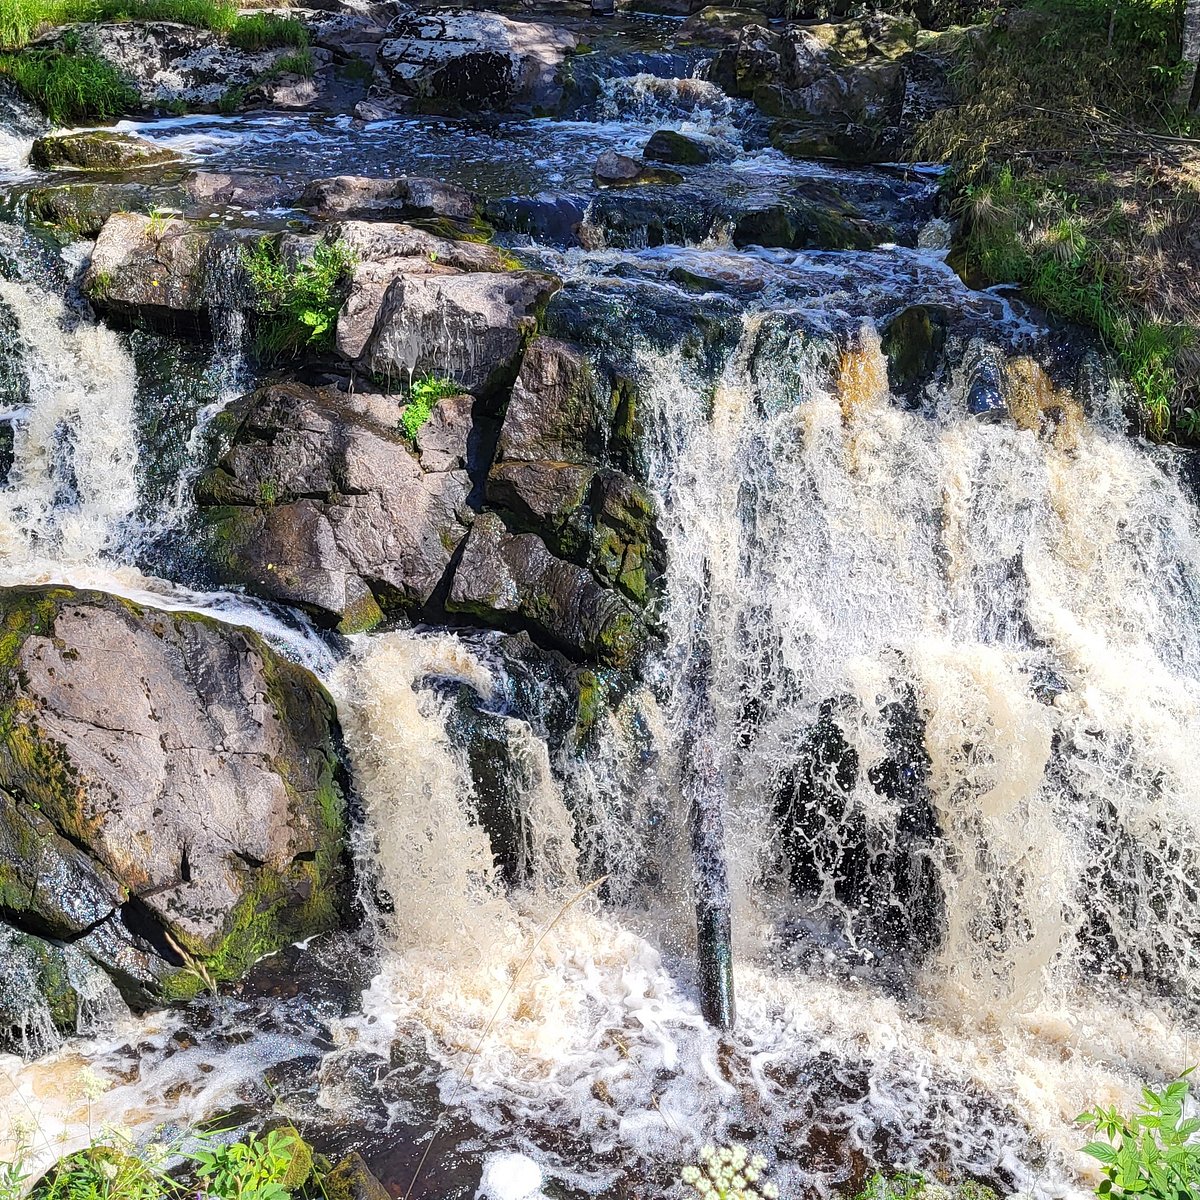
(455, 61)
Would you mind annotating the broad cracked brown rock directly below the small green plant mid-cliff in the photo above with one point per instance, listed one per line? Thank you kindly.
(322, 503)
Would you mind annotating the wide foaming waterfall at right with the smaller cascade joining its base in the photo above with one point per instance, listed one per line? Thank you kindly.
(961, 829)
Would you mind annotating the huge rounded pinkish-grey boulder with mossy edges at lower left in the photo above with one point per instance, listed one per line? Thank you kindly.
(171, 799)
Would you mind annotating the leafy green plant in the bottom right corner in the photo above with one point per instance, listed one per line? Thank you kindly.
(1153, 1153)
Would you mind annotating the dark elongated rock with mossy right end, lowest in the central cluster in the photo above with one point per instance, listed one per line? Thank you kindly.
(514, 579)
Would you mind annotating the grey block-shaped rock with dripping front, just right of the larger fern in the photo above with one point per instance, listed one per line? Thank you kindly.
(471, 328)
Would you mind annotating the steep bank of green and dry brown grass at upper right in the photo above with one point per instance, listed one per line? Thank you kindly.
(1075, 176)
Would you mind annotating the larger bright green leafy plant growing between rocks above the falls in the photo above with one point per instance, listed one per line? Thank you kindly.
(299, 304)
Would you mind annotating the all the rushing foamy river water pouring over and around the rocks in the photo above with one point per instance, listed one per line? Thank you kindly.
(955, 676)
